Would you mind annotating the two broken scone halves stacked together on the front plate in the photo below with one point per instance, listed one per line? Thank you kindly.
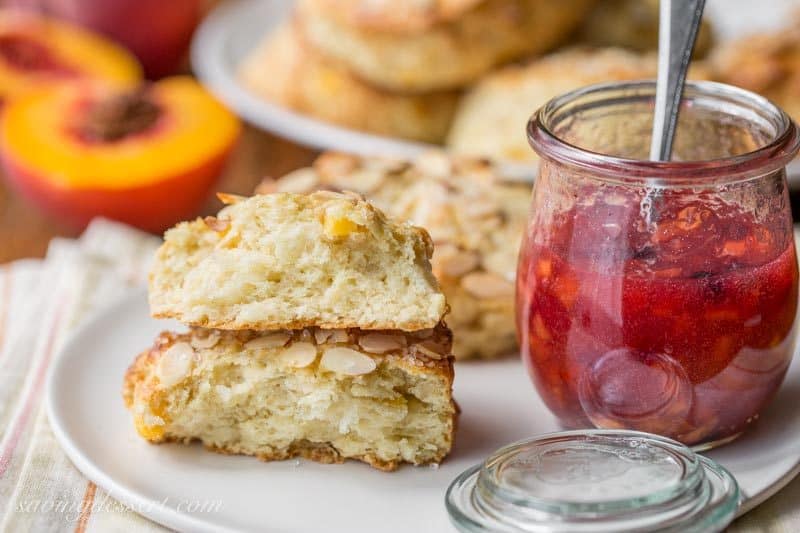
(315, 330)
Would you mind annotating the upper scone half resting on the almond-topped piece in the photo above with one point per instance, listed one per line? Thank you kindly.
(287, 261)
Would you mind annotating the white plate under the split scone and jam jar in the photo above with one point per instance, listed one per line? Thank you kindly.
(498, 402)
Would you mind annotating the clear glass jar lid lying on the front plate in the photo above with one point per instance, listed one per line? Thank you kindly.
(593, 480)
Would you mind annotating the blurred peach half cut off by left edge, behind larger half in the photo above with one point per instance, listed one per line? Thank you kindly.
(35, 51)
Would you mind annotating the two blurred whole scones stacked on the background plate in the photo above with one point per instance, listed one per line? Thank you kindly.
(396, 68)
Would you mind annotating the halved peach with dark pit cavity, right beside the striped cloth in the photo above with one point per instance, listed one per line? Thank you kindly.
(147, 157)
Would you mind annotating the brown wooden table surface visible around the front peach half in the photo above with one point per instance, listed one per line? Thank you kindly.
(25, 231)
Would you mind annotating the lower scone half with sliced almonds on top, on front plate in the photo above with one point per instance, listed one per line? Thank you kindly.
(327, 395)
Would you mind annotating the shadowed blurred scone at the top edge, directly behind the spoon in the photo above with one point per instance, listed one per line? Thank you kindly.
(633, 24)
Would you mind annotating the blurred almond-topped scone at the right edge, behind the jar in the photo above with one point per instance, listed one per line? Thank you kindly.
(766, 63)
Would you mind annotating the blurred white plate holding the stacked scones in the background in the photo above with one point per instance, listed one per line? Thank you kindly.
(236, 27)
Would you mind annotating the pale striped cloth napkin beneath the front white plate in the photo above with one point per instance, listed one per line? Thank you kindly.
(41, 302)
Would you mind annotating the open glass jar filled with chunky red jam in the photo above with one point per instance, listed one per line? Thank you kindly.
(659, 296)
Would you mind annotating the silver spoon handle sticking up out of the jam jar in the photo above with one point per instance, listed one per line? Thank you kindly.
(677, 32)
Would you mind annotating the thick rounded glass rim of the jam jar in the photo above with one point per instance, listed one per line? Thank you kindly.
(773, 155)
